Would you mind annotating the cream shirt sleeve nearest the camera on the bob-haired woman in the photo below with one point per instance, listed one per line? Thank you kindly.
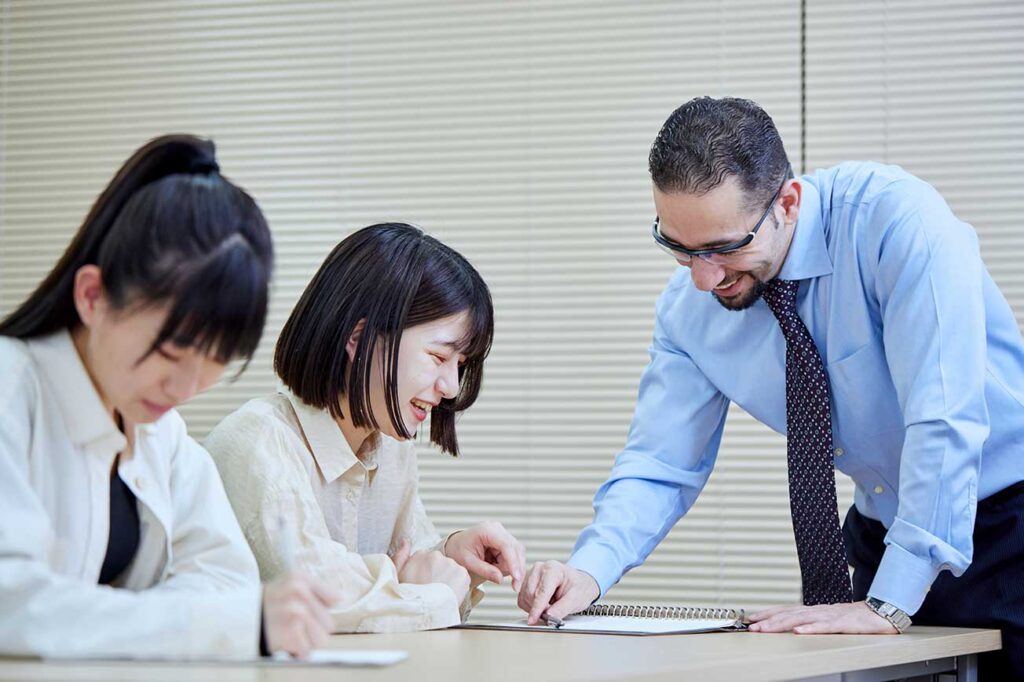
(262, 466)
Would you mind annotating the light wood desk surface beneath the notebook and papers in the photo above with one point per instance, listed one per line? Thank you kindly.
(453, 656)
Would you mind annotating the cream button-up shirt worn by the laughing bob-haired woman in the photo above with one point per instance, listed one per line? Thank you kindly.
(285, 462)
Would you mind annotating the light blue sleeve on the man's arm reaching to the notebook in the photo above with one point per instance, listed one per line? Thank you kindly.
(671, 450)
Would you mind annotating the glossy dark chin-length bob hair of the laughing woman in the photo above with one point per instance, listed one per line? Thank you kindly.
(394, 277)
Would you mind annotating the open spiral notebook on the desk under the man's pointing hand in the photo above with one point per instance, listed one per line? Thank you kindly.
(634, 620)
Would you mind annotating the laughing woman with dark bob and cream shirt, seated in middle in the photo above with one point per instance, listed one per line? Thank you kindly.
(395, 327)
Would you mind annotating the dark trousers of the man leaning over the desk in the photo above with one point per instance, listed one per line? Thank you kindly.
(990, 594)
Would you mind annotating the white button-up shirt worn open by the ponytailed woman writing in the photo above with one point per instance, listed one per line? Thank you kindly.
(192, 590)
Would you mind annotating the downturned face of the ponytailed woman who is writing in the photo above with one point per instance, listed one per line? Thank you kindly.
(112, 345)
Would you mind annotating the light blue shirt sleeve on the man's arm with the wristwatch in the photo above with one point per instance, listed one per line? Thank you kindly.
(929, 284)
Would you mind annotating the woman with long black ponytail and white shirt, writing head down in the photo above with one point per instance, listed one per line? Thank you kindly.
(116, 537)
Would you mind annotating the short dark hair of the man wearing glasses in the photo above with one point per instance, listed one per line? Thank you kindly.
(707, 140)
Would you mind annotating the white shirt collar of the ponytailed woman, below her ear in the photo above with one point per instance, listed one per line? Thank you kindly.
(89, 423)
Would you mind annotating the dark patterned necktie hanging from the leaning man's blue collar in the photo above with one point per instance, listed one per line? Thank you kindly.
(809, 453)
